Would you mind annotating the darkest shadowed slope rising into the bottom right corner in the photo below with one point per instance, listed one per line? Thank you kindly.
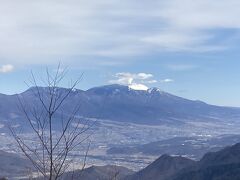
(221, 165)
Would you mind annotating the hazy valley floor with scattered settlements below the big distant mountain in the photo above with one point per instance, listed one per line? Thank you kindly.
(136, 145)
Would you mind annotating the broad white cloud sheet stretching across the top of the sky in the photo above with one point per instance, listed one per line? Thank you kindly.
(37, 32)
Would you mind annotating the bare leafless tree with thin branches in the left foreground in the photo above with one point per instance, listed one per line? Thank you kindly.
(56, 133)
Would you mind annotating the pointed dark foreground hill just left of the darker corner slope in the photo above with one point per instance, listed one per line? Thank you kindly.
(163, 168)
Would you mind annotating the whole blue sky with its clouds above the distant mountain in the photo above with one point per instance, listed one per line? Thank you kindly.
(188, 48)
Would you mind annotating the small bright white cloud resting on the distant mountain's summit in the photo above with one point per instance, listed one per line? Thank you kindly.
(135, 81)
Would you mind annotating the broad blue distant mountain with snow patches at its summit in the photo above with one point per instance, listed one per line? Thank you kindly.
(123, 104)
